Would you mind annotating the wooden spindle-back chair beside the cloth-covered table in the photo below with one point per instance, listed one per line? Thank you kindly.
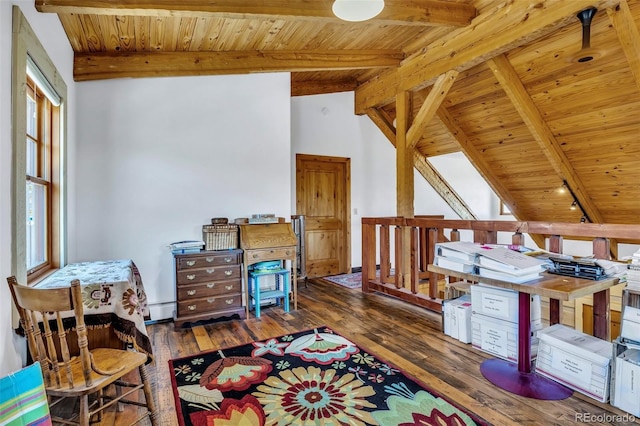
(87, 374)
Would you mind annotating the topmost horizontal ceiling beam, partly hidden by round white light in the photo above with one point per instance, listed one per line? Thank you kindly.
(396, 12)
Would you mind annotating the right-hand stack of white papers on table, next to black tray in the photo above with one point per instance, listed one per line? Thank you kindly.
(504, 264)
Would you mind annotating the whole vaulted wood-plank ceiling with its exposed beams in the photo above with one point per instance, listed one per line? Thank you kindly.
(498, 80)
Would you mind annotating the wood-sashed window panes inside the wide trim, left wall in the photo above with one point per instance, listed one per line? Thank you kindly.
(41, 113)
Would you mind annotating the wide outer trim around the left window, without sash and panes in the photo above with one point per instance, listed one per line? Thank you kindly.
(26, 47)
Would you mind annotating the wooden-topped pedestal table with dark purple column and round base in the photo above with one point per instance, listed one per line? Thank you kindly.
(519, 379)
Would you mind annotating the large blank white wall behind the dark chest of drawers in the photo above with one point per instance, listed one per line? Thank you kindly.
(158, 158)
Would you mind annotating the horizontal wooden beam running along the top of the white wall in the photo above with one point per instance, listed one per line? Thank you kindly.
(94, 66)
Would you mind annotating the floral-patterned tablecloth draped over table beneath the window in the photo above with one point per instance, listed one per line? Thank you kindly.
(113, 296)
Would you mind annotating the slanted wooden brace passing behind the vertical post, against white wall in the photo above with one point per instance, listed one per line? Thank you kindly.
(430, 174)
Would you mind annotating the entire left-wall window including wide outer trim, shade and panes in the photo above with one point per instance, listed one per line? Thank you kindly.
(38, 136)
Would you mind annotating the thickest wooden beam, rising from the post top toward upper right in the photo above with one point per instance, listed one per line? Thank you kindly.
(509, 25)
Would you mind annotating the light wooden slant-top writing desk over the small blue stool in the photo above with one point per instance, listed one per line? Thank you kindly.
(270, 241)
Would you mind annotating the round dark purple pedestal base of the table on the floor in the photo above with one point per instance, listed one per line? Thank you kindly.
(506, 375)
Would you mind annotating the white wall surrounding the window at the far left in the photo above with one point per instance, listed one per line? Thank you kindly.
(50, 33)
